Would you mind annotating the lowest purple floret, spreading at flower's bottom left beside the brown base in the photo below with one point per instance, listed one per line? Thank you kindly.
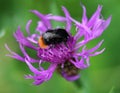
(40, 76)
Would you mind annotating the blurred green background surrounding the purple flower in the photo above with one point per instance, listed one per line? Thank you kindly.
(103, 76)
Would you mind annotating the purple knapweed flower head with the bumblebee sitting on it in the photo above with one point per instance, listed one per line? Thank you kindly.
(60, 50)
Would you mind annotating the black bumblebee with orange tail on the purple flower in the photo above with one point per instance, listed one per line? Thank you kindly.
(53, 37)
